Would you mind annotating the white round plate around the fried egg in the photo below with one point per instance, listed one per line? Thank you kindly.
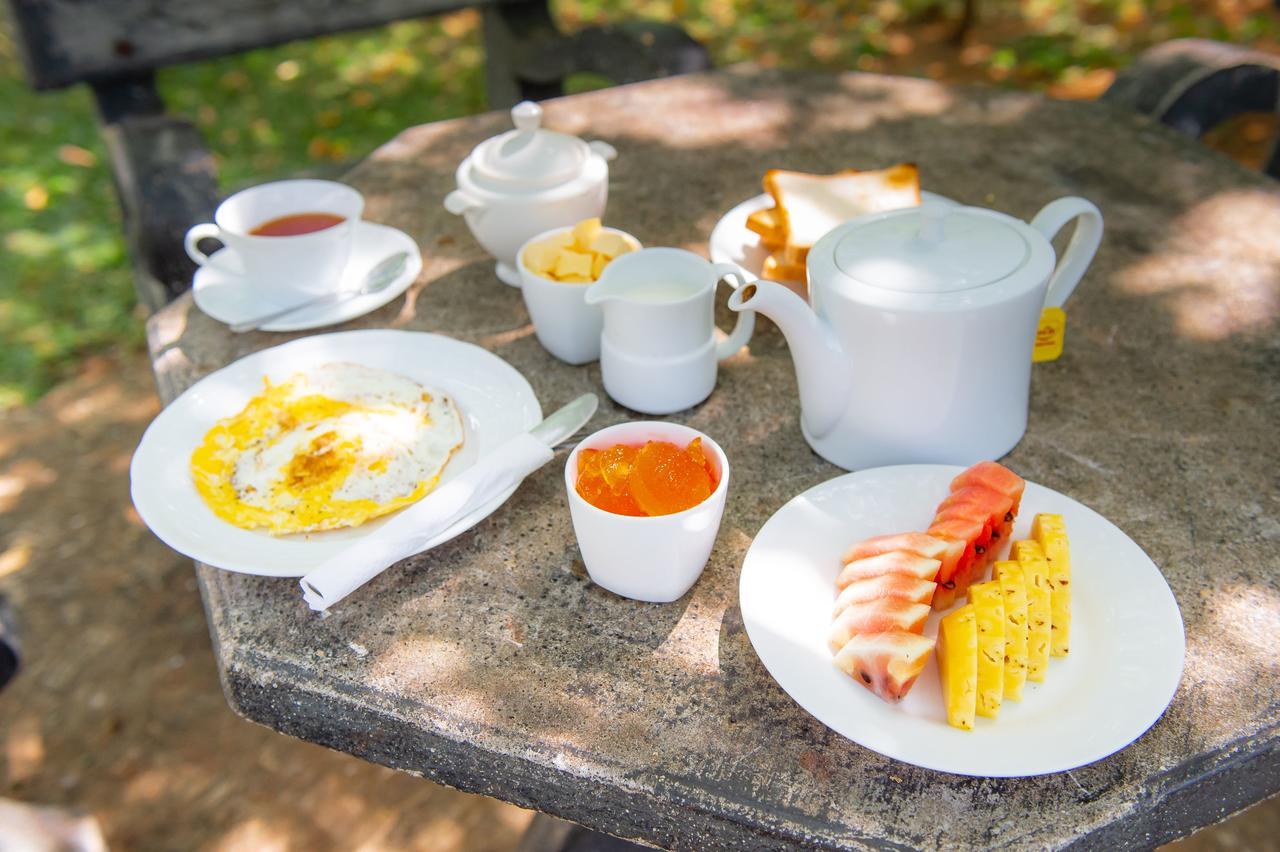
(495, 400)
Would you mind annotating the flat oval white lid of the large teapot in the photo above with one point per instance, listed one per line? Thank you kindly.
(932, 249)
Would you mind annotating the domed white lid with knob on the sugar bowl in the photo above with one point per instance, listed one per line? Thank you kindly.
(529, 158)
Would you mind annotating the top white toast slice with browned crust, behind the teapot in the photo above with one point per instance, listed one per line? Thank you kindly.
(811, 205)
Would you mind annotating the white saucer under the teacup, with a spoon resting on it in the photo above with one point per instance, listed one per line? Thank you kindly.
(223, 292)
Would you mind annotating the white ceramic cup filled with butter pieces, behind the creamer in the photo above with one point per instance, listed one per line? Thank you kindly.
(565, 324)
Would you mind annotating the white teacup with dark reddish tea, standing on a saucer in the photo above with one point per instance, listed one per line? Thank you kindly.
(303, 265)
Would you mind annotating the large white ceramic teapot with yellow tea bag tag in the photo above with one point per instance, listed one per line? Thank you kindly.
(917, 347)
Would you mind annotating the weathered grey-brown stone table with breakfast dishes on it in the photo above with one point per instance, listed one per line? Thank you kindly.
(492, 663)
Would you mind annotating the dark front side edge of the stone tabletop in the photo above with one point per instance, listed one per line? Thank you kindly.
(1145, 823)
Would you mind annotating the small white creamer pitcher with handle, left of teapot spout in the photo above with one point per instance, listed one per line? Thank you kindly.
(659, 349)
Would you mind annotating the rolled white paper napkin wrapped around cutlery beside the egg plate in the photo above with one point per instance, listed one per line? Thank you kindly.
(413, 530)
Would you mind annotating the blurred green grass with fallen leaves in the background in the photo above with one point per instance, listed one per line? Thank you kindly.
(66, 287)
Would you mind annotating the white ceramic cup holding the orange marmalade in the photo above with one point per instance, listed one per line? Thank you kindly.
(653, 560)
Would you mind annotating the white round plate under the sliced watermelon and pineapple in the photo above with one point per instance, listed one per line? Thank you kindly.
(1127, 633)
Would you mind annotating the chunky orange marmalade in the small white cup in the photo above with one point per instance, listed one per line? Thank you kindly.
(643, 482)
